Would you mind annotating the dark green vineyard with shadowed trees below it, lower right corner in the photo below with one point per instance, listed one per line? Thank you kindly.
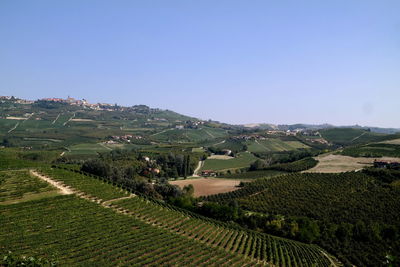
(354, 215)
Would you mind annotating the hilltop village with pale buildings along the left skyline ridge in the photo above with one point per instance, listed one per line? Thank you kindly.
(70, 100)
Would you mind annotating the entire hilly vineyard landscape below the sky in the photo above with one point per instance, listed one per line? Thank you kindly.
(255, 194)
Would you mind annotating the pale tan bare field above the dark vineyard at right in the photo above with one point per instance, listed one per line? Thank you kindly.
(329, 163)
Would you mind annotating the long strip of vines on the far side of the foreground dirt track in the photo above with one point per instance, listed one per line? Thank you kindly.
(229, 237)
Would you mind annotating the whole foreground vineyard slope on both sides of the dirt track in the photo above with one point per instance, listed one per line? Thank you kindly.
(105, 225)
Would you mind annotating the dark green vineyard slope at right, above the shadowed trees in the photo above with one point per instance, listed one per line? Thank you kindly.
(331, 197)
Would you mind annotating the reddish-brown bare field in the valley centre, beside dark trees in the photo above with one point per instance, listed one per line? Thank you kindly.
(209, 186)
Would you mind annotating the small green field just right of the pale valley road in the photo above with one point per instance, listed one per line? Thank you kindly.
(242, 160)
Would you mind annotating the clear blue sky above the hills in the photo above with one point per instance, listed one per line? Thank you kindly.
(234, 61)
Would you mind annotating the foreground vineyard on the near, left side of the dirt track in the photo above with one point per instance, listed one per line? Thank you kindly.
(79, 232)
